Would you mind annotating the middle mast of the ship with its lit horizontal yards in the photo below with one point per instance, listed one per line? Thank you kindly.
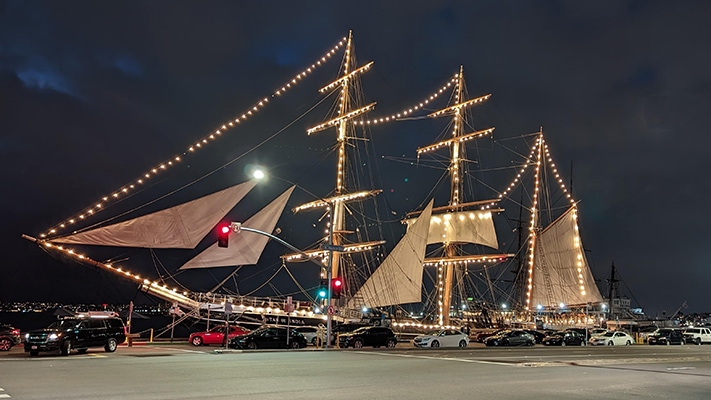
(452, 250)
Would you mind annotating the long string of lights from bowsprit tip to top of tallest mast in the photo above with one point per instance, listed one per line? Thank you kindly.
(125, 190)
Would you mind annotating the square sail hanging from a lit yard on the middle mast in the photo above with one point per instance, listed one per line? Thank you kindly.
(463, 227)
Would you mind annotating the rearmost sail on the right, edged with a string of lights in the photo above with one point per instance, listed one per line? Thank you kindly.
(561, 274)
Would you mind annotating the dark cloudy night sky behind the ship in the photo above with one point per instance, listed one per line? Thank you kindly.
(93, 94)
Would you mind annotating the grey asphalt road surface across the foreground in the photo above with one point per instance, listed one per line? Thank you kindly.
(181, 371)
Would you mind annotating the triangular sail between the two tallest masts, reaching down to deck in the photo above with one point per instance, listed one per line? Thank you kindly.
(398, 280)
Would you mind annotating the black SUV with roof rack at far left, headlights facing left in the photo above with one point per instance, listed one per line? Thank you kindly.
(76, 333)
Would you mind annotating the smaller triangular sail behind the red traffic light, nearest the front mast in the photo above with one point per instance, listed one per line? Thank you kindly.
(244, 248)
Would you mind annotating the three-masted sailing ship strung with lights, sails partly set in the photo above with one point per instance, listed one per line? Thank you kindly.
(457, 239)
